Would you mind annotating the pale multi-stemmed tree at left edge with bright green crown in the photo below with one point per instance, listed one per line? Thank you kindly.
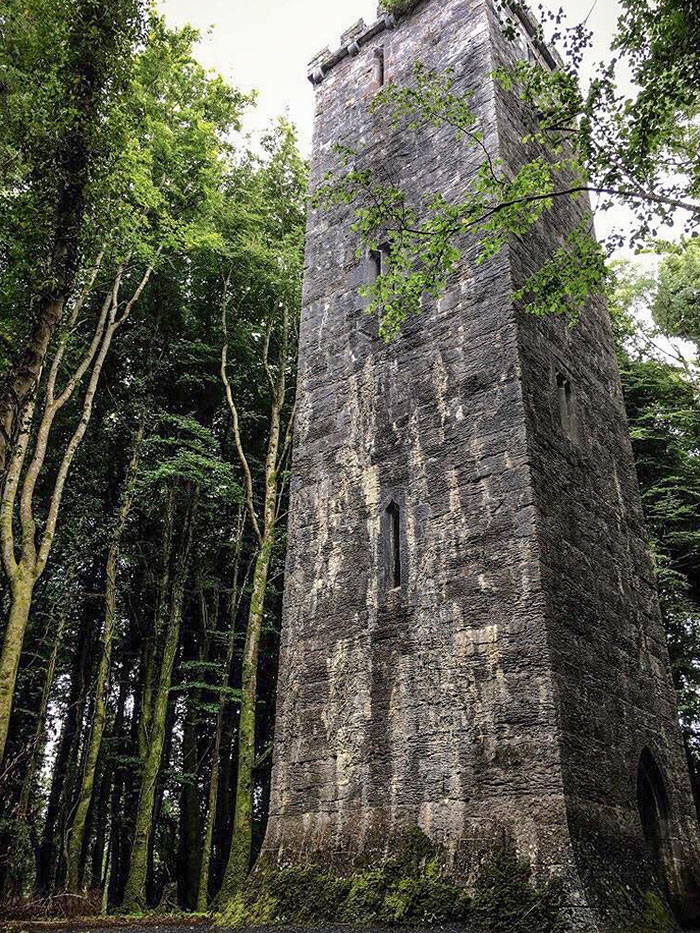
(157, 199)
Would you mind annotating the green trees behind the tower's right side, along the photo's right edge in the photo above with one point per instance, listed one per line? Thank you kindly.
(650, 308)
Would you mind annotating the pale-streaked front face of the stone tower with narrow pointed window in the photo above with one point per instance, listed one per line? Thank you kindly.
(433, 704)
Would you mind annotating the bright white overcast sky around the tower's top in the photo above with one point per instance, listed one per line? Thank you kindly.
(266, 44)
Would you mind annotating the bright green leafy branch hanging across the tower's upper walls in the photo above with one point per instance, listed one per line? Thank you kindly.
(424, 240)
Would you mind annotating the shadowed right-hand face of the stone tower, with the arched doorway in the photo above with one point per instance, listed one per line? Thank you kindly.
(607, 643)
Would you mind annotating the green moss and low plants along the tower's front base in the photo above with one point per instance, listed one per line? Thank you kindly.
(409, 888)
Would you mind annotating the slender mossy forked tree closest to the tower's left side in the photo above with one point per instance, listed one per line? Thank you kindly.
(274, 289)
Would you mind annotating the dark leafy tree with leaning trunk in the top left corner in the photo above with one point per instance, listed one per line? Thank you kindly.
(55, 139)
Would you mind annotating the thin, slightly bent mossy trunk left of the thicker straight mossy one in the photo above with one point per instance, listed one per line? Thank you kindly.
(76, 837)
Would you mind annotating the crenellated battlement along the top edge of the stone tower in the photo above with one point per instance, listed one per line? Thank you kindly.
(360, 34)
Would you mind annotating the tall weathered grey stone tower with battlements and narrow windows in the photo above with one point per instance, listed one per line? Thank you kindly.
(471, 641)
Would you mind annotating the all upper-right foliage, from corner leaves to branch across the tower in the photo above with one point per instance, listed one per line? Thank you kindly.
(642, 151)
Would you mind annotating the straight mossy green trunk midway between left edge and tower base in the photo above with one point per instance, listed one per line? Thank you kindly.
(134, 894)
